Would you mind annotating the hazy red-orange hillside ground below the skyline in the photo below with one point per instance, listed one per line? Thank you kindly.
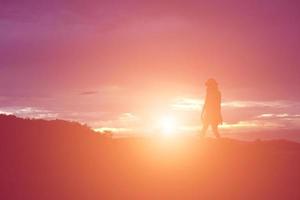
(62, 160)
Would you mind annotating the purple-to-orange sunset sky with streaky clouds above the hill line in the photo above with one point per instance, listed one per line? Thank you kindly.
(126, 65)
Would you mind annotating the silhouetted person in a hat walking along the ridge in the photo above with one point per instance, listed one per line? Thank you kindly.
(211, 112)
